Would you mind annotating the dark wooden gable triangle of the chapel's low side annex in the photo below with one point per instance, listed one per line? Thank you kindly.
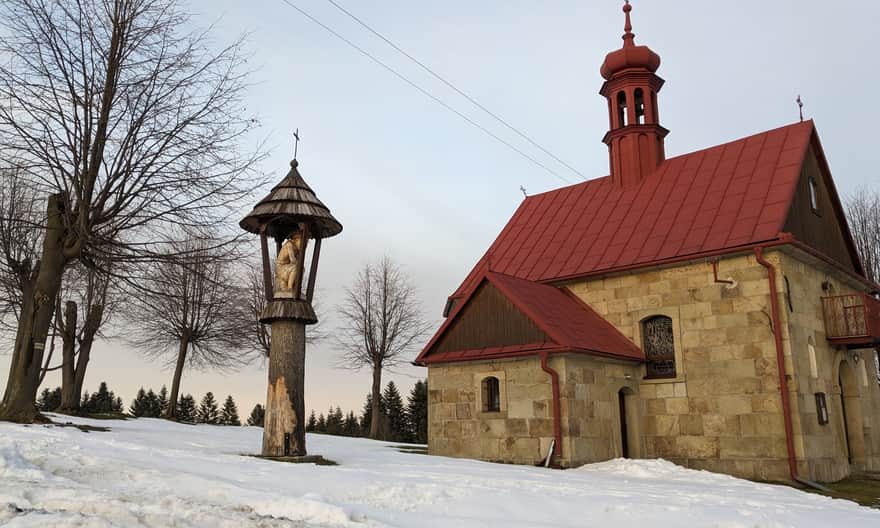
(489, 319)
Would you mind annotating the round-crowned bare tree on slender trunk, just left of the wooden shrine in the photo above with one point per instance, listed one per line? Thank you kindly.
(195, 313)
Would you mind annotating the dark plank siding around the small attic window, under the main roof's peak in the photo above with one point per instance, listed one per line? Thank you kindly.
(820, 229)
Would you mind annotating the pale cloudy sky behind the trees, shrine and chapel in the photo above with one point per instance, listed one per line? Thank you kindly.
(413, 181)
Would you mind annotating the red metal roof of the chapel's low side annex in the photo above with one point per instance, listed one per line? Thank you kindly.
(571, 325)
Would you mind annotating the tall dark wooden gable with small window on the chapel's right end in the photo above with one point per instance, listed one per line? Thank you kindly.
(822, 227)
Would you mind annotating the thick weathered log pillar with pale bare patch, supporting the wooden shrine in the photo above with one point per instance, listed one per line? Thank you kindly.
(284, 432)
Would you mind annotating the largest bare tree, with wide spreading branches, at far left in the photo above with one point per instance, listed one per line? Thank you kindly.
(129, 125)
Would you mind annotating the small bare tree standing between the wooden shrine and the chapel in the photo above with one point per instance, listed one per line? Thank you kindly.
(382, 323)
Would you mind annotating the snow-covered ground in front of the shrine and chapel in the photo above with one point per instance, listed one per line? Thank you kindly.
(150, 472)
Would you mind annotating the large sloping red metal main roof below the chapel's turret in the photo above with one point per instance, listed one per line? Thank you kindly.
(731, 195)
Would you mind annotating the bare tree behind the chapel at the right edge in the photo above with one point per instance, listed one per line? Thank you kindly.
(863, 215)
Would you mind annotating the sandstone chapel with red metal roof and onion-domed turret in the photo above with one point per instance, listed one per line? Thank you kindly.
(708, 308)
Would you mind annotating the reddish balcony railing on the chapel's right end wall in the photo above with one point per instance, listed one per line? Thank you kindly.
(852, 319)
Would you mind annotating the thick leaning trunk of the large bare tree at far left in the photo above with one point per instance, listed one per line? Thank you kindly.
(19, 400)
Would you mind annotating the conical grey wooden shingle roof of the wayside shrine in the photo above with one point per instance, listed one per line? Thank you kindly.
(291, 202)
